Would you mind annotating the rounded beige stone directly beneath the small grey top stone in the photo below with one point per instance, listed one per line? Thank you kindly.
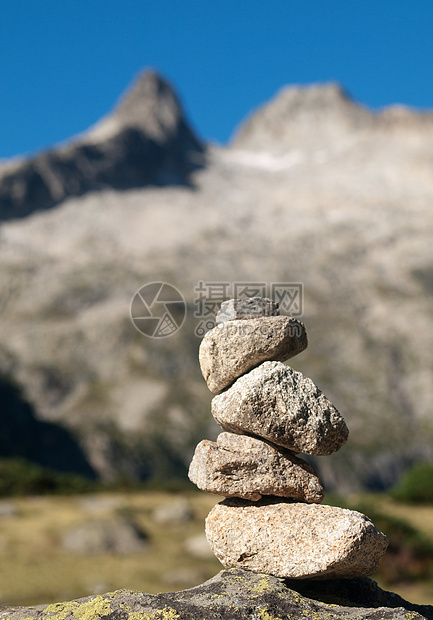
(235, 347)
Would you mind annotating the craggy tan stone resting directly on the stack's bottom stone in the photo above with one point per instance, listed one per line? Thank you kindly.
(246, 467)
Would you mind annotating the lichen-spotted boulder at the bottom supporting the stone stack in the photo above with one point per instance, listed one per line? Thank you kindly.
(238, 595)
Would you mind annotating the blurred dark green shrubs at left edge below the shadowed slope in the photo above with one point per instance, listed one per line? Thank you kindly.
(21, 477)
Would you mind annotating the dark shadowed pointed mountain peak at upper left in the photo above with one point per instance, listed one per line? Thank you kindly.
(144, 141)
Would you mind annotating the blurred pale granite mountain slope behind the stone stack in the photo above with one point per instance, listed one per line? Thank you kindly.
(313, 188)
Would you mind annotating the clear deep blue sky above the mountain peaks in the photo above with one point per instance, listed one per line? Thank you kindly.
(64, 63)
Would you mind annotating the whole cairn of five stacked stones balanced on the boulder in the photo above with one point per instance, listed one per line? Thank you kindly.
(272, 520)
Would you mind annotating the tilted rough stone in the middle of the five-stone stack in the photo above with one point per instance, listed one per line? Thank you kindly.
(275, 402)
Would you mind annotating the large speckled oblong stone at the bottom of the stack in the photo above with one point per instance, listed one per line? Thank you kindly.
(294, 540)
